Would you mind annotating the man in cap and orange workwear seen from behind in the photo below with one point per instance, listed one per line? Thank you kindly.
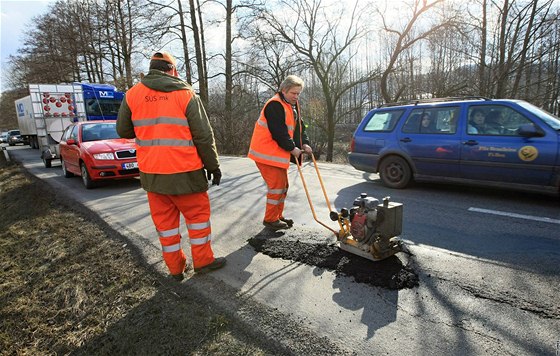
(175, 145)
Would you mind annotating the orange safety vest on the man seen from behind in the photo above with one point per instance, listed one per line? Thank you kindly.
(164, 142)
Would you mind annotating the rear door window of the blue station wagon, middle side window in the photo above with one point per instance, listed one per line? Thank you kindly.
(432, 121)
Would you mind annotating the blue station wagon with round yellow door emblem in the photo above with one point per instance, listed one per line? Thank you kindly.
(477, 141)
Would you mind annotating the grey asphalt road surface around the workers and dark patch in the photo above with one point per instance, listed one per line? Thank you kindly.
(488, 261)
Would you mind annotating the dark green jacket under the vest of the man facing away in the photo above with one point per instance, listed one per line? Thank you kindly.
(203, 138)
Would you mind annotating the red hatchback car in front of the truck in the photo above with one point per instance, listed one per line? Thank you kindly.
(94, 151)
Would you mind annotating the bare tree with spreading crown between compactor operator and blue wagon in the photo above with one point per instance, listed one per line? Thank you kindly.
(324, 44)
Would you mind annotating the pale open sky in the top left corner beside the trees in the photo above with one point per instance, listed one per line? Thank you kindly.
(16, 16)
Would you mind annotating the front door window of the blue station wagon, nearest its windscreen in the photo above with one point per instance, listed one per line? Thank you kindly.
(495, 120)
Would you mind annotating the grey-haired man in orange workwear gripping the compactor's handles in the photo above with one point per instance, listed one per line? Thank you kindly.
(279, 134)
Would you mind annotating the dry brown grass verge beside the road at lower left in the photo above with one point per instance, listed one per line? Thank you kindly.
(71, 286)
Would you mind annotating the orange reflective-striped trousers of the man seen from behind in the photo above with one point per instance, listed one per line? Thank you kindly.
(165, 210)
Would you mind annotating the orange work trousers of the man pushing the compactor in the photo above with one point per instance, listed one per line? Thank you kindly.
(276, 180)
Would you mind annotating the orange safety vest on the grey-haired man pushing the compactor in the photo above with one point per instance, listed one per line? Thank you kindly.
(263, 148)
